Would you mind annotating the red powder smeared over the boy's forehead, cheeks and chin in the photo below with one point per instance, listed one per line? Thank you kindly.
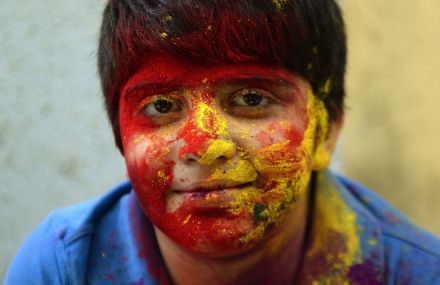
(150, 164)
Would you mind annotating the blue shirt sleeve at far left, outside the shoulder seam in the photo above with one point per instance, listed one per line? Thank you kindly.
(39, 259)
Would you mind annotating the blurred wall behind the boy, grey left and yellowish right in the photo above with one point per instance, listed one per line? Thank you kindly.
(56, 147)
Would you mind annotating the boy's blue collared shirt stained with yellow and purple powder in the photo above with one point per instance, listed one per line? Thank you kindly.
(353, 237)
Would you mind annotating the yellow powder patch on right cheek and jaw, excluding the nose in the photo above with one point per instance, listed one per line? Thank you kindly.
(290, 169)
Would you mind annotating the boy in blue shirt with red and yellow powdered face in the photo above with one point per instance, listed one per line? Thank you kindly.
(227, 113)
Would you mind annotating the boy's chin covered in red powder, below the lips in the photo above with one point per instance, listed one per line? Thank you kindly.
(216, 233)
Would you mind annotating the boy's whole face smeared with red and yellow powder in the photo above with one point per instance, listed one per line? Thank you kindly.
(218, 155)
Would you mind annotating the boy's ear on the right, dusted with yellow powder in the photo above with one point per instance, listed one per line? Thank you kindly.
(324, 149)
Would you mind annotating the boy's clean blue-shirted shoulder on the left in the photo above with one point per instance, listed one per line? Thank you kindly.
(42, 257)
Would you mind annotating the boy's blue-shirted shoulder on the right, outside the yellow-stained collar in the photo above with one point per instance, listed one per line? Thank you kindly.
(411, 254)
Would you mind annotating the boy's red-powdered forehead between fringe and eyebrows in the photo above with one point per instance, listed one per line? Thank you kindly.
(166, 69)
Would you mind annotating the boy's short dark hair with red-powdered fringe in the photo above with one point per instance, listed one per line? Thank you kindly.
(306, 37)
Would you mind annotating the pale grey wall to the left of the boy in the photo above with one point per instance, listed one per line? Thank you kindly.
(56, 147)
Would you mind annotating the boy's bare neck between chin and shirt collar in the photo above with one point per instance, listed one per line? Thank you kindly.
(275, 261)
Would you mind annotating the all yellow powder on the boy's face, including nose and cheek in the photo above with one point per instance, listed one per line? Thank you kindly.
(289, 169)
